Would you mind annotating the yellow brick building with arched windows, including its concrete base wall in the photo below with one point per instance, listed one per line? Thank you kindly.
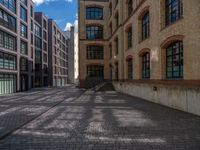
(150, 48)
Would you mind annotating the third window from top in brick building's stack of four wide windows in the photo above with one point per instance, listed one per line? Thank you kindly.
(95, 52)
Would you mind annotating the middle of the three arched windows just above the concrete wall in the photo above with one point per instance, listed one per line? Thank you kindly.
(146, 66)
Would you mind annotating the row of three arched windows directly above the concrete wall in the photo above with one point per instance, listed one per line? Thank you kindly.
(174, 62)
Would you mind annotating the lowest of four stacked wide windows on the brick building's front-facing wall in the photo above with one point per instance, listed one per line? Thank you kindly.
(95, 71)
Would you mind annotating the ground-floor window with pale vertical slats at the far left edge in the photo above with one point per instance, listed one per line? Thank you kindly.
(8, 83)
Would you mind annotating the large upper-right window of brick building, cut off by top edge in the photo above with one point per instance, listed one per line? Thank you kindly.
(173, 11)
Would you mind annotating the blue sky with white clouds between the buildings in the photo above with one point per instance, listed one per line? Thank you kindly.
(64, 12)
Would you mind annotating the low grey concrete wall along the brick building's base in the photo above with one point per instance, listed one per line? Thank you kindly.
(179, 97)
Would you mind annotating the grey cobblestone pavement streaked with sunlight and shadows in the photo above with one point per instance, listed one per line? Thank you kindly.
(60, 119)
